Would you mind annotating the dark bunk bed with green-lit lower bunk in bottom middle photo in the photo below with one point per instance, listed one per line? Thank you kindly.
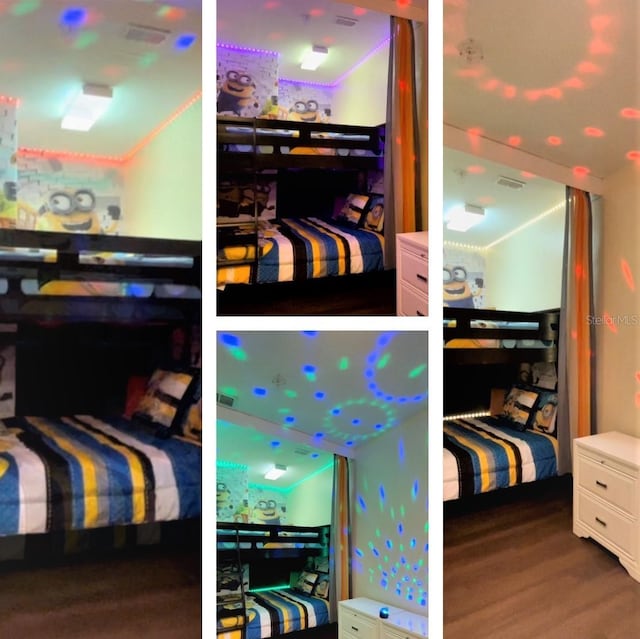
(256, 598)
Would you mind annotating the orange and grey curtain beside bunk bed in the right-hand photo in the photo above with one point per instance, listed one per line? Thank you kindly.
(576, 379)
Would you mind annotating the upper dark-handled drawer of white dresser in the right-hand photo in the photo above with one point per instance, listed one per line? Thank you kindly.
(608, 483)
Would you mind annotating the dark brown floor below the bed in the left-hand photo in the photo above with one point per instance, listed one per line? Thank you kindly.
(148, 592)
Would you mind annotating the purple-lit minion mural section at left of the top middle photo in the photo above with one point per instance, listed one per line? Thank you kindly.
(247, 82)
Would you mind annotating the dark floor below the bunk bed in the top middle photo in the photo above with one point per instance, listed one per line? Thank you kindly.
(371, 294)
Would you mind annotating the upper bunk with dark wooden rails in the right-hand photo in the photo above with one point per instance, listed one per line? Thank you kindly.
(485, 336)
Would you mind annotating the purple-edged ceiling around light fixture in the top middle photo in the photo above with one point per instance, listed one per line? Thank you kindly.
(350, 31)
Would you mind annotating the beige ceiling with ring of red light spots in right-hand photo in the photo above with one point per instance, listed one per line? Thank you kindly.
(558, 80)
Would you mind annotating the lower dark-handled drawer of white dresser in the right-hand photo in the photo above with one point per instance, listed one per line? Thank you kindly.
(609, 527)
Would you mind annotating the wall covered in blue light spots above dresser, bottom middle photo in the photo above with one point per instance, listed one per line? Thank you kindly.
(397, 462)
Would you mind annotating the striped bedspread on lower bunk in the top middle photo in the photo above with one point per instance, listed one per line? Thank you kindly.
(306, 248)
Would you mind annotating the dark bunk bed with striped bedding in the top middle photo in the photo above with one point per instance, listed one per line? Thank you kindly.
(302, 236)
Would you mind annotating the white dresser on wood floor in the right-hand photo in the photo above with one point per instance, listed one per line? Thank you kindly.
(605, 494)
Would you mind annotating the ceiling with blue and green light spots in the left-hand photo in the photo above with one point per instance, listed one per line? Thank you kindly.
(46, 57)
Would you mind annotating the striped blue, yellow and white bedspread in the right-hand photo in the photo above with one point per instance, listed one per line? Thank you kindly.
(480, 455)
